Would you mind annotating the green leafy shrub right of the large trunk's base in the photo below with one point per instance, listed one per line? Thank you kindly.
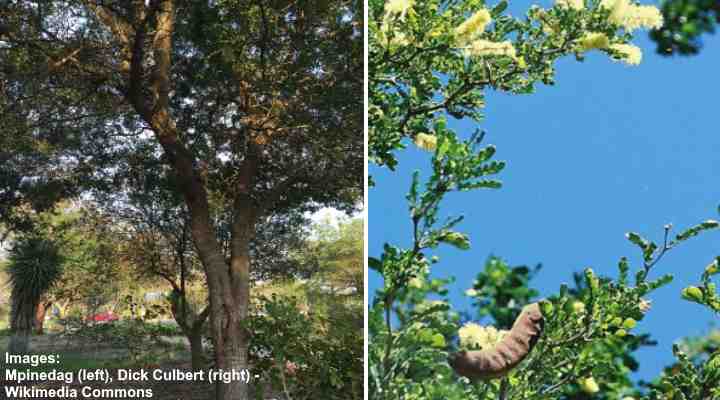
(308, 354)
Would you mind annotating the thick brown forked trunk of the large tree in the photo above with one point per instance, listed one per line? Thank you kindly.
(228, 284)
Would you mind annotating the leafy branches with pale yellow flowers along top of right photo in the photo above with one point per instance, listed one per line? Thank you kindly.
(421, 72)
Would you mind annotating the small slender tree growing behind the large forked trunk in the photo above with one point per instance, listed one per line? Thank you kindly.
(155, 224)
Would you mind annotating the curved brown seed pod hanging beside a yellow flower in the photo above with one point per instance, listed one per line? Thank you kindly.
(506, 355)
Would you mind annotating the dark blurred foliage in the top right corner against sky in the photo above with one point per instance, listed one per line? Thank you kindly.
(686, 21)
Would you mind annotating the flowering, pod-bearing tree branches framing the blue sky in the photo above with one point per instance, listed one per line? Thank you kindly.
(430, 62)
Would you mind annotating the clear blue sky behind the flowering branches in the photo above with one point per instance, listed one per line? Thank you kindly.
(607, 150)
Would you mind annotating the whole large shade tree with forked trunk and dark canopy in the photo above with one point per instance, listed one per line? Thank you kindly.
(256, 101)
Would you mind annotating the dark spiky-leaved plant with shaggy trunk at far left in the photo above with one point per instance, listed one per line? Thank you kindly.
(35, 265)
